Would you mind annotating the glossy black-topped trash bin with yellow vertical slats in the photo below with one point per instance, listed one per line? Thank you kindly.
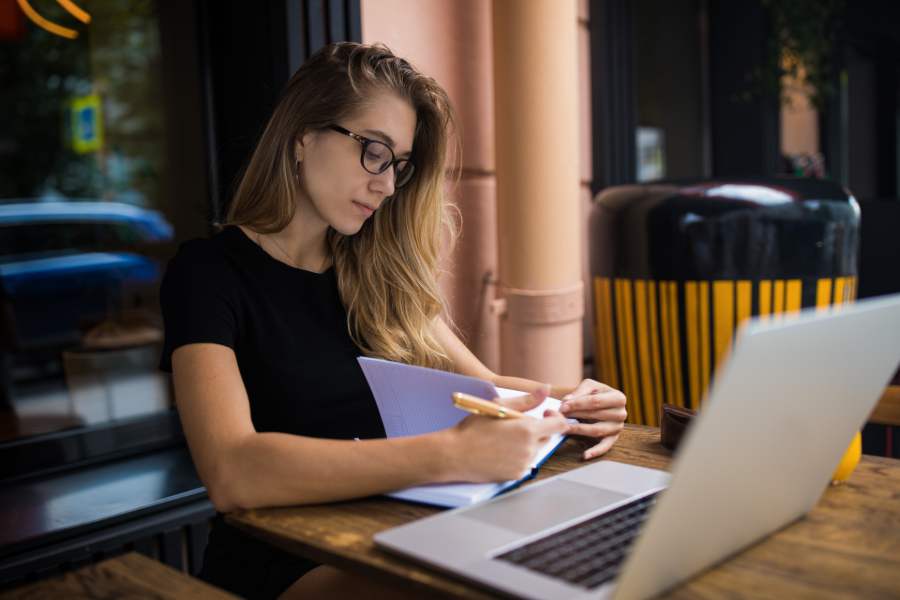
(676, 268)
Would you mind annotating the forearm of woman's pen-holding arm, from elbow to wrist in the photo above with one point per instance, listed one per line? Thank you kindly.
(276, 469)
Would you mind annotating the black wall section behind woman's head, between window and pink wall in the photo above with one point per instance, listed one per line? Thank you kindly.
(249, 56)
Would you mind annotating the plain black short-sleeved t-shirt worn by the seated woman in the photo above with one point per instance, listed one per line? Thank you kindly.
(288, 329)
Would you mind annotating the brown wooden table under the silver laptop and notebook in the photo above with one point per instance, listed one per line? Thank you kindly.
(848, 546)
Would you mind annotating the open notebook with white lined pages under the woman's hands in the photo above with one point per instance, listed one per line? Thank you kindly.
(415, 400)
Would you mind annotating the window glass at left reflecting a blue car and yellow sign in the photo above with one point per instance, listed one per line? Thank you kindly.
(84, 226)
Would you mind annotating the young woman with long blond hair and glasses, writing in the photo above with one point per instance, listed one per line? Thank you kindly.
(330, 251)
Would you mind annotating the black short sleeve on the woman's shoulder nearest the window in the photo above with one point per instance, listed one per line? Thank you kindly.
(199, 300)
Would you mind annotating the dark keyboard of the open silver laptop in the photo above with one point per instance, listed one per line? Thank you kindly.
(589, 553)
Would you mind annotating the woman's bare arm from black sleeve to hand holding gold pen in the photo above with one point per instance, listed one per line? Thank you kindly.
(242, 468)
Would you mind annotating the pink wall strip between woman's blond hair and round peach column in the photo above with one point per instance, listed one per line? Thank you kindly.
(452, 42)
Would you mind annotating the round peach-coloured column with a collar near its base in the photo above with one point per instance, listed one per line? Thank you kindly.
(538, 188)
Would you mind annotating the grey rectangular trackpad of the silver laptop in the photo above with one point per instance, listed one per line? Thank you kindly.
(543, 506)
